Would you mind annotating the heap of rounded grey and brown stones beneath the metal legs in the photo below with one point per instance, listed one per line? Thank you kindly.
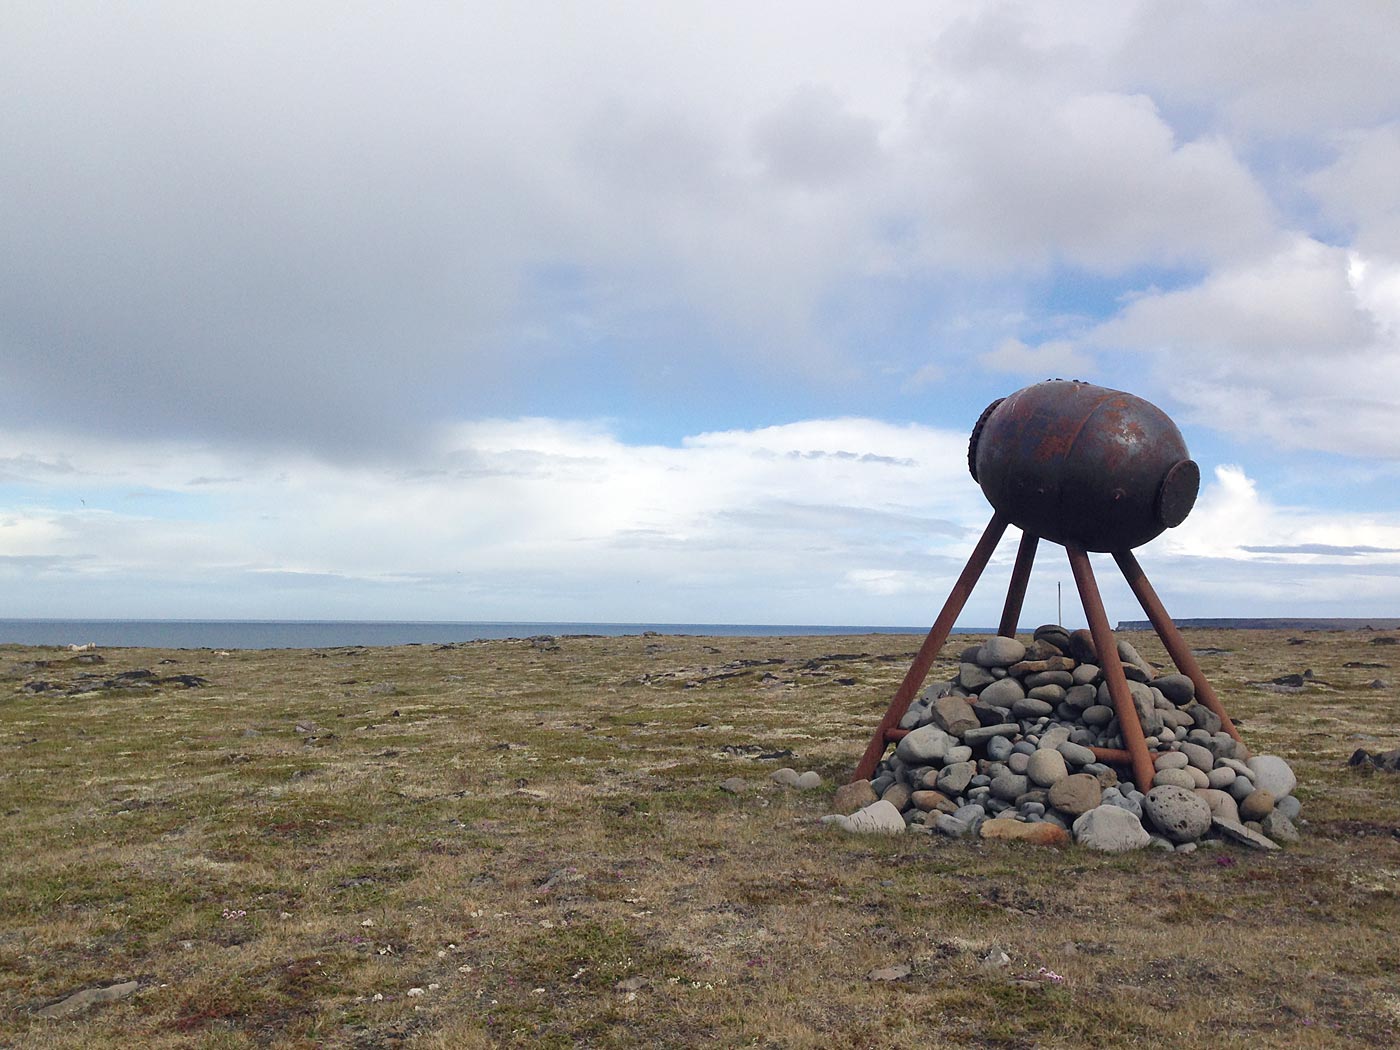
(1003, 752)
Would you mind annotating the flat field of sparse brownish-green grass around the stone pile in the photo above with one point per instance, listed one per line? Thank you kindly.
(526, 843)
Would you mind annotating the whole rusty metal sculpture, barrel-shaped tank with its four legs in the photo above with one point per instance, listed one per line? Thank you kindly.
(1091, 470)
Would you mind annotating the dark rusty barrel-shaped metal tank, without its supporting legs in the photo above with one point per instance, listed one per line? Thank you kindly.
(1084, 465)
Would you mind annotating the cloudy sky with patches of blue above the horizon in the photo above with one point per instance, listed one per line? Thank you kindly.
(681, 313)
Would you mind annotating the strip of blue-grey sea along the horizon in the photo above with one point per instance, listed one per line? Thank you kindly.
(306, 635)
